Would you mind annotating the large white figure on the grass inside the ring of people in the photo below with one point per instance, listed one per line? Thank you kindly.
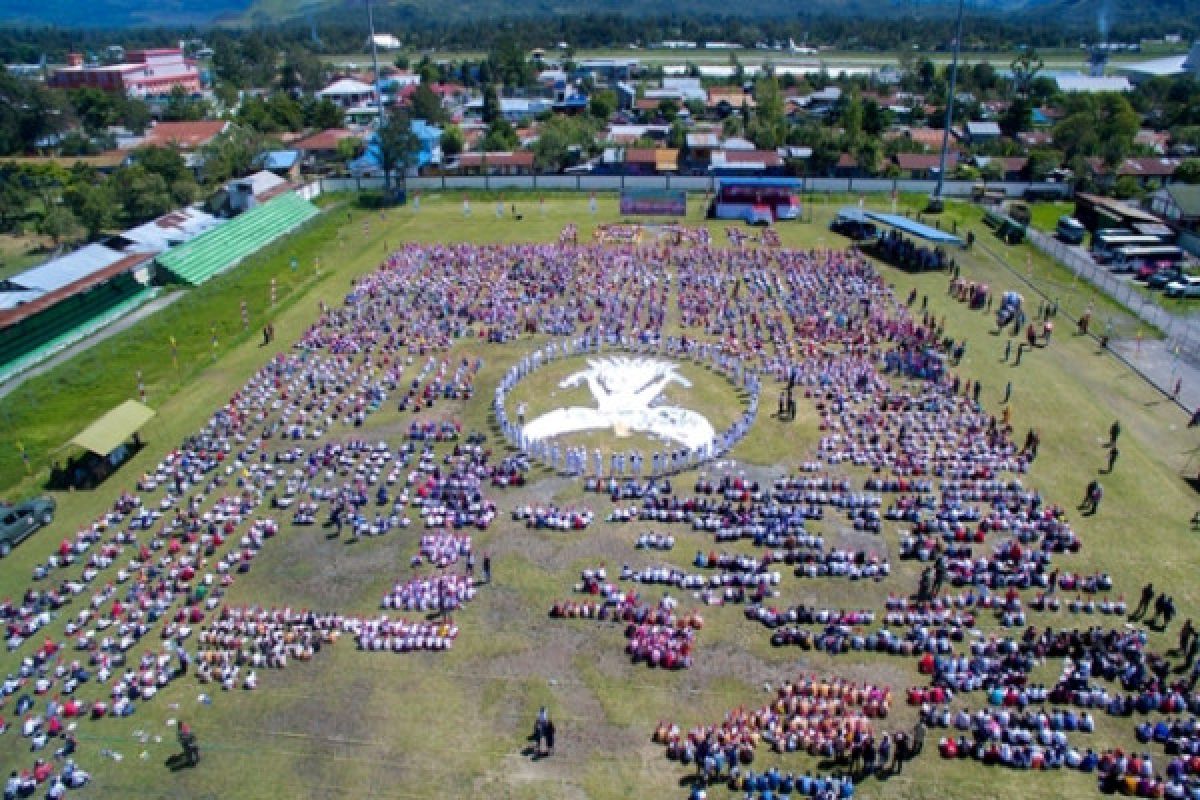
(626, 390)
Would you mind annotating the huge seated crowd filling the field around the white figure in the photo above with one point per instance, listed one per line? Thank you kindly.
(933, 462)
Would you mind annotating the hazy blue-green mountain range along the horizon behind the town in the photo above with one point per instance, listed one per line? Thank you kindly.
(137, 14)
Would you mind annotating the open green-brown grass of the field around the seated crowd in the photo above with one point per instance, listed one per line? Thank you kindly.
(454, 725)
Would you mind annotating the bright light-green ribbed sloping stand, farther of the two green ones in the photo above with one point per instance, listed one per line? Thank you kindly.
(220, 249)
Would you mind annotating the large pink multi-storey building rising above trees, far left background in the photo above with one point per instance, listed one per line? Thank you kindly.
(146, 74)
